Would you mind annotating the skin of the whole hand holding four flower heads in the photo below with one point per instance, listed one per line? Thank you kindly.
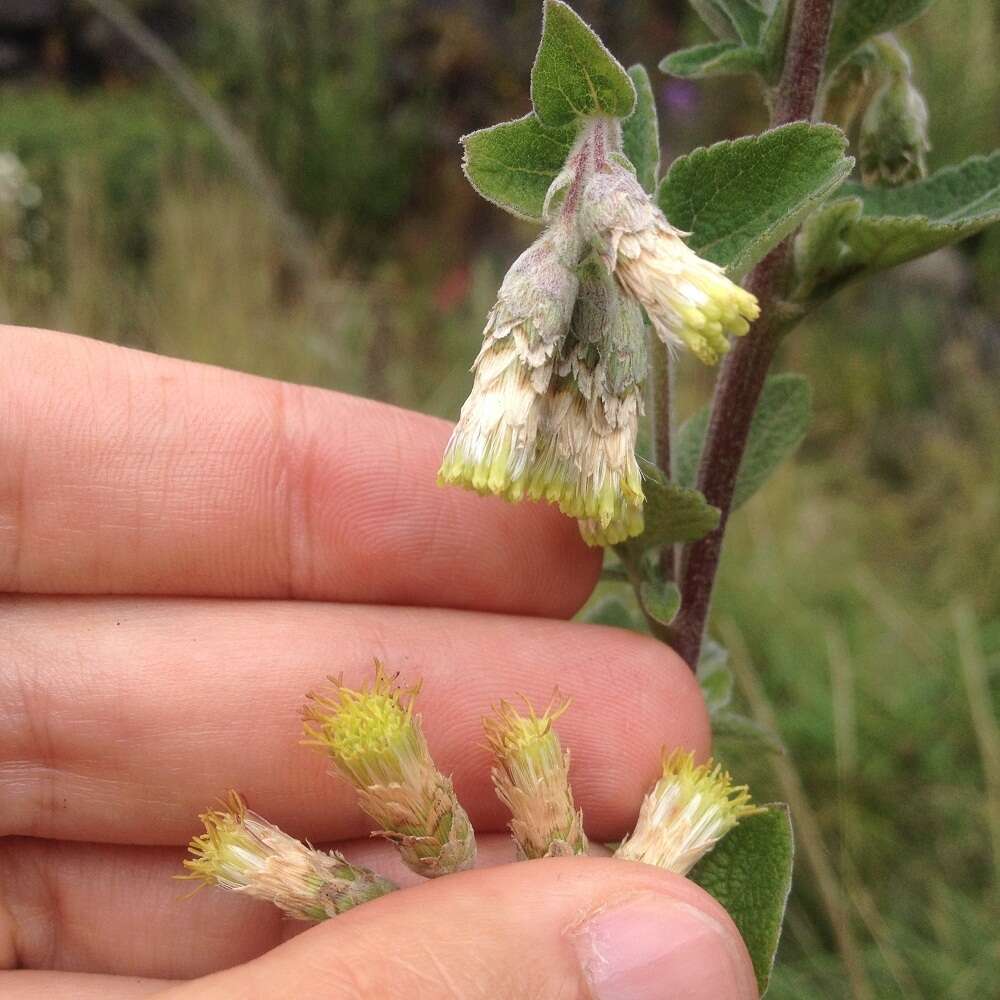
(184, 552)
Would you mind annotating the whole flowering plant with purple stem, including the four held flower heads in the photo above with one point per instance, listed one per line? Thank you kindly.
(723, 255)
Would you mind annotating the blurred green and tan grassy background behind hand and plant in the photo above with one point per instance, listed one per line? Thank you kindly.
(860, 593)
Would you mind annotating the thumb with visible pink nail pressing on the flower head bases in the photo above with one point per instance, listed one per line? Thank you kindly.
(560, 928)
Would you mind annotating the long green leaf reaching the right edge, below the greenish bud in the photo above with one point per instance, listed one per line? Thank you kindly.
(898, 224)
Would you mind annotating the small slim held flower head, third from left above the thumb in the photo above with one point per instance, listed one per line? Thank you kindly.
(531, 778)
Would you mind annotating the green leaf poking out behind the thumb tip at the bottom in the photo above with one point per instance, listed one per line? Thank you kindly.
(750, 873)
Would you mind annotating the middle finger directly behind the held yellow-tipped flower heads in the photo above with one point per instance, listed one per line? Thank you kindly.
(122, 720)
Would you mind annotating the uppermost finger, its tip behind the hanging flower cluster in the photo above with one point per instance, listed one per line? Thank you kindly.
(123, 472)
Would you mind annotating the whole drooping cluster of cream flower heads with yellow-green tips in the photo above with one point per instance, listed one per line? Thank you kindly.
(557, 392)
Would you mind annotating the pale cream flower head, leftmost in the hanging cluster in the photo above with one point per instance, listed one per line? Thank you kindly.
(493, 446)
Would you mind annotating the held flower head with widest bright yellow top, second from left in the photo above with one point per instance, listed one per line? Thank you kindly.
(376, 742)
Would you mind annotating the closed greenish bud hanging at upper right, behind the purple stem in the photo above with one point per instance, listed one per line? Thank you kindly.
(893, 142)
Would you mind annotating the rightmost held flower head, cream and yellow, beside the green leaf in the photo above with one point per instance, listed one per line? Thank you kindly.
(685, 815)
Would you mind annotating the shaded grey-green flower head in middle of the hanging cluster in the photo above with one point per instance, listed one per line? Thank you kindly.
(586, 461)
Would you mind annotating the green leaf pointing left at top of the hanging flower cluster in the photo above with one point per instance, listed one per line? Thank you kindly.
(514, 164)
